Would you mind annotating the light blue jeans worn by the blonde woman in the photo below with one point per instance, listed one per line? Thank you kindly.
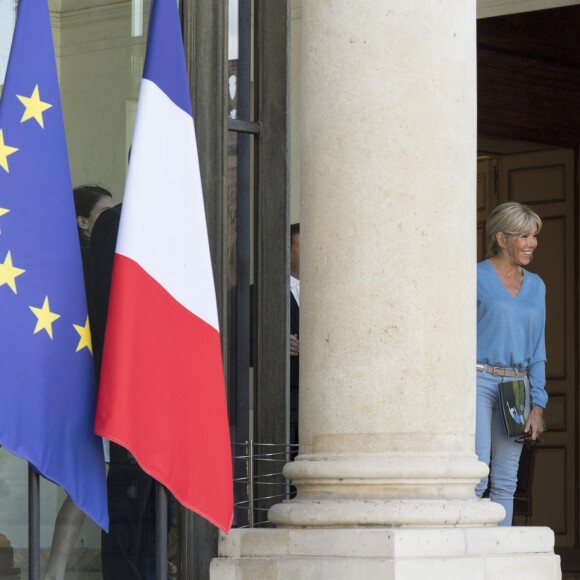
(492, 444)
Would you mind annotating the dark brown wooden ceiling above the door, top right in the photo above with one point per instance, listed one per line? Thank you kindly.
(529, 79)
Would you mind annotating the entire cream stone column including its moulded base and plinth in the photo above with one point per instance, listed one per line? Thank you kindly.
(387, 467)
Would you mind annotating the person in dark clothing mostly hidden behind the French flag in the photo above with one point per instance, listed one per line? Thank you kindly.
(128, 550)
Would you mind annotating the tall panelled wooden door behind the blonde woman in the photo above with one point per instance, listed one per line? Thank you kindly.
(545, 181)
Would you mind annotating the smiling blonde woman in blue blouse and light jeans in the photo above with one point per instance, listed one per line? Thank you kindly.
(511, 315)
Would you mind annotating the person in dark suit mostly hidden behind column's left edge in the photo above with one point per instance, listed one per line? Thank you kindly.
(294, 329)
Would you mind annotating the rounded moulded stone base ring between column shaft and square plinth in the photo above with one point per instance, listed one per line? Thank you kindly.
(385, 489)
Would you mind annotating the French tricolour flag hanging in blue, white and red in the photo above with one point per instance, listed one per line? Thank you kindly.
(161, 392)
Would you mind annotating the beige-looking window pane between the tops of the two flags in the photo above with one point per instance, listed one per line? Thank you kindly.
(101, 51)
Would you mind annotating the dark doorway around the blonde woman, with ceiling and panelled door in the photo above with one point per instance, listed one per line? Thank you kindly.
(529, 135)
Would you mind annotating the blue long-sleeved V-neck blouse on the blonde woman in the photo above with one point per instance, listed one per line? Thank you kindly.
(511, 329)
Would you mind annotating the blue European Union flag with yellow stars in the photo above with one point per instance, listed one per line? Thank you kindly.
(47, 383)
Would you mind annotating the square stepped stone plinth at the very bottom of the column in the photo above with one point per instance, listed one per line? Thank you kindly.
(477, 553)
